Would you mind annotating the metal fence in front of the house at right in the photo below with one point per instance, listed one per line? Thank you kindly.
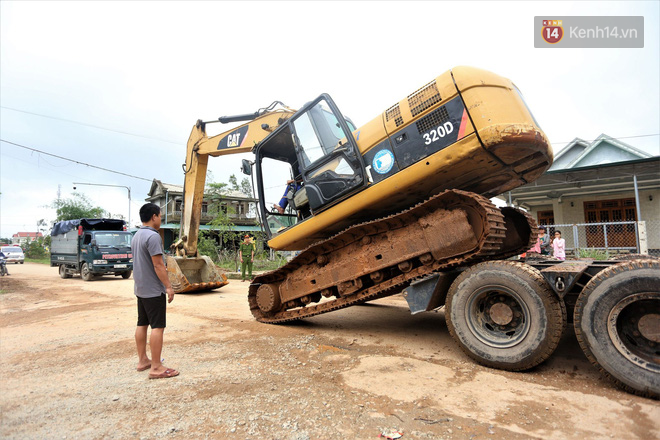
(605, 239)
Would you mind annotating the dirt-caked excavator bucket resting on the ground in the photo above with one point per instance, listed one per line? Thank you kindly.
(194, 274)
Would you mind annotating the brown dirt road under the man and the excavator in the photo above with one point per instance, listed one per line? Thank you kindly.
(68, 371)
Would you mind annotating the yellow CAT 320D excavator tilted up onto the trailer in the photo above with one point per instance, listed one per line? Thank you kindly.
(375, 207)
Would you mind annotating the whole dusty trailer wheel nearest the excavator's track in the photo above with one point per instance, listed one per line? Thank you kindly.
(504, 315)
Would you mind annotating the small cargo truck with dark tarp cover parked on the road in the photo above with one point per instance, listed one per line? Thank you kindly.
(91, 248)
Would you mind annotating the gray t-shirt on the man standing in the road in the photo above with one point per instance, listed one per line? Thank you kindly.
(146, 244)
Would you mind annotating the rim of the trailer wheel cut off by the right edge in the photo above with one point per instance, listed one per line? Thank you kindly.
(633, 329)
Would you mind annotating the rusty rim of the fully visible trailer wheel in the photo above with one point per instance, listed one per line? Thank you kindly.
(497, 316)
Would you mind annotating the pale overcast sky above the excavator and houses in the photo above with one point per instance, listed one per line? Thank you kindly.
(119, 85)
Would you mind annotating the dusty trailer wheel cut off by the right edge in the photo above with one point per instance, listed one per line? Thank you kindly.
(616, 319)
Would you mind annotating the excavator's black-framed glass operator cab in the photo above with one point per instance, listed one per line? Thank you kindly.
(317, 147)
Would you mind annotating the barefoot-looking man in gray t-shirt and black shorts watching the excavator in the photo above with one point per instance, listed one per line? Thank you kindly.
(151, 286)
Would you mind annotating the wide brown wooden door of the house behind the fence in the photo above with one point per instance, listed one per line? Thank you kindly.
(606, 211)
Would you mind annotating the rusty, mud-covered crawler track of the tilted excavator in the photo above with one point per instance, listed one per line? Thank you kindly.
(288, 293)
